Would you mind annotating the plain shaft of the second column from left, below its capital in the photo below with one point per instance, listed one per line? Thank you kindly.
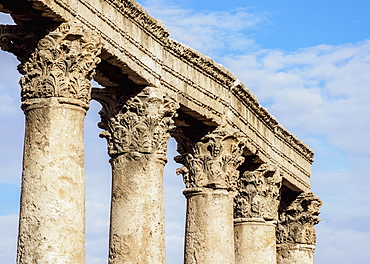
(137, 233)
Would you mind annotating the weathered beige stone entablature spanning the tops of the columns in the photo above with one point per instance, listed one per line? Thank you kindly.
(140, 47)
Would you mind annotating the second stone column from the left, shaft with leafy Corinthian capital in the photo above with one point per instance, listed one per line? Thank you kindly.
(137, 134)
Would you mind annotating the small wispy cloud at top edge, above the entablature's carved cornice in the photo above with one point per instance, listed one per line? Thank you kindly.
(209, 32)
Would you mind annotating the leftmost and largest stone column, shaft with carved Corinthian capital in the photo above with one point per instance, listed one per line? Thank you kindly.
(55, 92)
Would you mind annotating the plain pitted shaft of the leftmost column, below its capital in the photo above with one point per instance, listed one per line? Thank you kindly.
(52, 216)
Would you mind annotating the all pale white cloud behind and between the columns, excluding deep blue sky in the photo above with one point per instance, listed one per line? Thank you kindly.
(320, 93)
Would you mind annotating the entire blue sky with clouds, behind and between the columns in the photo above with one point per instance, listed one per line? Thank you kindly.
(308, 62)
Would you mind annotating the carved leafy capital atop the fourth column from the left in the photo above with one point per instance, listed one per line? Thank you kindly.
(258, 193)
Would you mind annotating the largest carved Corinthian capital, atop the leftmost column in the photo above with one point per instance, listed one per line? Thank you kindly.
(61, 64)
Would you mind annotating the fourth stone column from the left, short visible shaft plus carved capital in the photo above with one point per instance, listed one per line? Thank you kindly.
(256, 207)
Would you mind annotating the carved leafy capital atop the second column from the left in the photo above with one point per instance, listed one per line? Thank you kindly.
(140, 124)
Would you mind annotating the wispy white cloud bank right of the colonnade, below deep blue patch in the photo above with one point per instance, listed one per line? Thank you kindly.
(319, 93)
